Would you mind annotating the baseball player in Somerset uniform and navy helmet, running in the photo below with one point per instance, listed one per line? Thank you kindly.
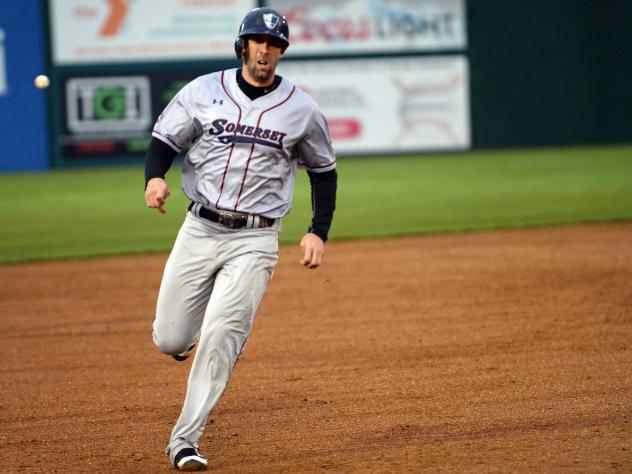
(249, 129)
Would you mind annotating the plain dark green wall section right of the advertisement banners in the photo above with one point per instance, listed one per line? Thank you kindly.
(550, 73)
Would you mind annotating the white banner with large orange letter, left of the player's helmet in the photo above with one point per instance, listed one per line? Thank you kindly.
(101, 31)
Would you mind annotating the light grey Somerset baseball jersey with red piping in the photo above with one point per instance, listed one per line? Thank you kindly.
(244, 152)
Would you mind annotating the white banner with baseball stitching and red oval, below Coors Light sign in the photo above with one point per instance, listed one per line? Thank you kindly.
(389, 105)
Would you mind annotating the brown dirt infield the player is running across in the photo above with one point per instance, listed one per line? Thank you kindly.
(503, 351)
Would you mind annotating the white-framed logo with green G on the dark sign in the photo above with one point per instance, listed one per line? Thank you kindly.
(108, 104)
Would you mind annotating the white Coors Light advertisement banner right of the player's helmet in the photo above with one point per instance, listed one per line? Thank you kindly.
(356, 26)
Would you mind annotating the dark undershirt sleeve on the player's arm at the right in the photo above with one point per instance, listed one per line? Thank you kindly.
(324, 187)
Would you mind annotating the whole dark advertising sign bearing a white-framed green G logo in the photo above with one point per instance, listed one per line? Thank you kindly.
(109, 117)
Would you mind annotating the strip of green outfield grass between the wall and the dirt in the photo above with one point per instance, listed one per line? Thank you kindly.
(77, 213)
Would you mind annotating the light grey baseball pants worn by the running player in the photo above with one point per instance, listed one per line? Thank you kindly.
(212, 285)
